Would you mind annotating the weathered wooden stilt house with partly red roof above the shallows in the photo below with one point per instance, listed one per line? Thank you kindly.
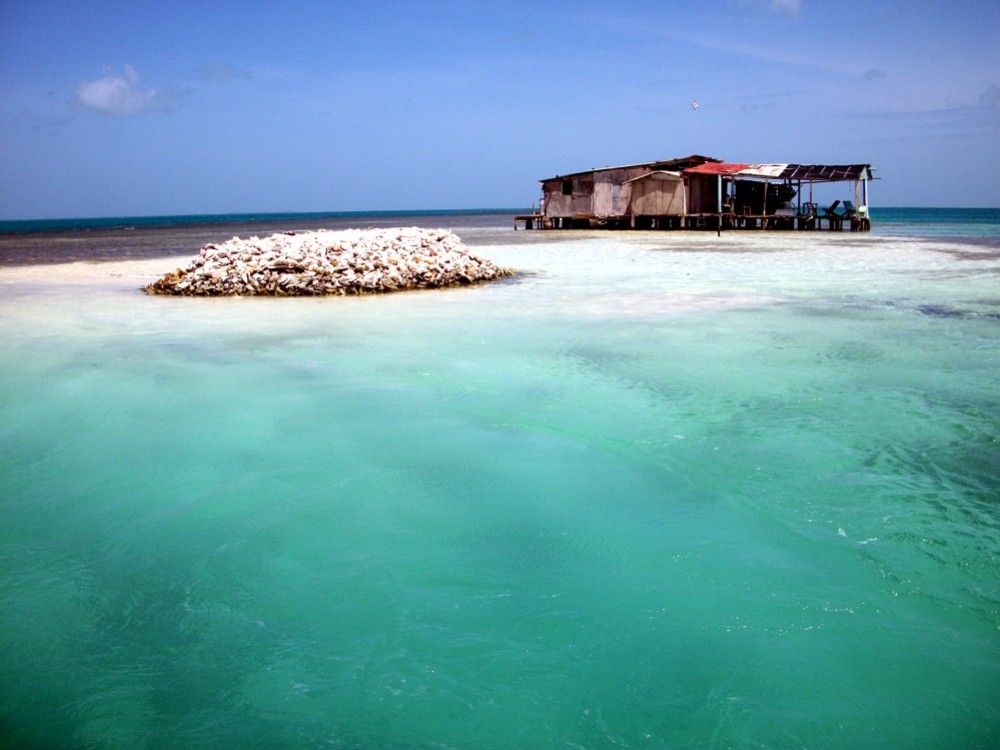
(699, 192)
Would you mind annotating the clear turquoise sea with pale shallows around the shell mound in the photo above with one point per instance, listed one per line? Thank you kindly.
(658, 490)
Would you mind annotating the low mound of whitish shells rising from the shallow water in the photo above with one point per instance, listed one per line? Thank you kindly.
(352, 261)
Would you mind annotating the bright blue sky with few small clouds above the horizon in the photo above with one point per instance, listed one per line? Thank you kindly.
(140, 108)
